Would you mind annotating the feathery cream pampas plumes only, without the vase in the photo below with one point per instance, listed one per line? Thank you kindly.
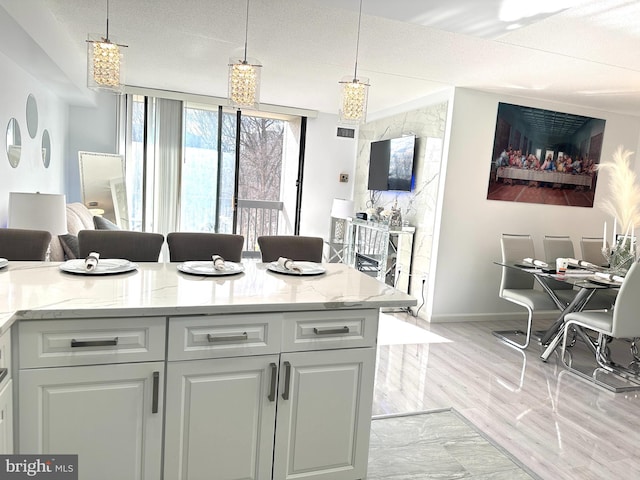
(624, 202)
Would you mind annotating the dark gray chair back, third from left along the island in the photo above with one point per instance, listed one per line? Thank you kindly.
(185, 246)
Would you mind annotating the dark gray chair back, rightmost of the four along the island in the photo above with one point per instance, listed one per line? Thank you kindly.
(294, 247)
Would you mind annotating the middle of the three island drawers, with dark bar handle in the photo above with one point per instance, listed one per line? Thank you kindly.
(218, 336)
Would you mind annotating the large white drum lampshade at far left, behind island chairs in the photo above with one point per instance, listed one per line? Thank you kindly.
(38, 211)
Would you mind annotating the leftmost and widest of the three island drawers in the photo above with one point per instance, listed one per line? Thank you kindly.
(54, 343)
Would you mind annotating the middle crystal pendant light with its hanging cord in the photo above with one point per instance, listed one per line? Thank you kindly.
(244, 77)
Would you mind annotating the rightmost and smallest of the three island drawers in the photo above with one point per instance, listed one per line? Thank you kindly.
(329, 329)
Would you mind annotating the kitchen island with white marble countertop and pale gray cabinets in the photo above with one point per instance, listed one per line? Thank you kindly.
(158, 374)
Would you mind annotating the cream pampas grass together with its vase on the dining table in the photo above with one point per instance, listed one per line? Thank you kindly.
(624, 206)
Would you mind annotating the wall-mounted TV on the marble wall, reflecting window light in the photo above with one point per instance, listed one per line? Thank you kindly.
(391, 164)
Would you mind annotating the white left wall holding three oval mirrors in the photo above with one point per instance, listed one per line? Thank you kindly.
(30, 175)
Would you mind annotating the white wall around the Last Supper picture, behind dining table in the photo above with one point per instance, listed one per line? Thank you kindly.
(465, 285)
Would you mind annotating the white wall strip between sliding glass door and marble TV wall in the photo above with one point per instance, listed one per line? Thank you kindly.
(326, 157)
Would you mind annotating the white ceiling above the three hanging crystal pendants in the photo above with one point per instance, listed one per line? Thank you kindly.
(583, 55)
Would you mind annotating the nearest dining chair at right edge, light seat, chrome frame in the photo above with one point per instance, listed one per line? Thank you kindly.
(620, 322)
